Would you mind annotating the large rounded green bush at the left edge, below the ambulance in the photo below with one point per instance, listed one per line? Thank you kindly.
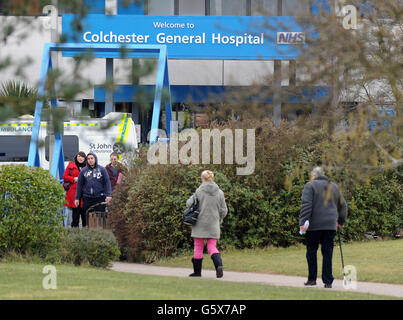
(31, 203)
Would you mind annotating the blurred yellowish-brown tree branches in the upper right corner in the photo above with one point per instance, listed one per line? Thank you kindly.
(361, 64)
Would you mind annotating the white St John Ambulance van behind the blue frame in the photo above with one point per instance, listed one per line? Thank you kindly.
(114, 133)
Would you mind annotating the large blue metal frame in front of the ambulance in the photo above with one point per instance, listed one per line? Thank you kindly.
(99, 51)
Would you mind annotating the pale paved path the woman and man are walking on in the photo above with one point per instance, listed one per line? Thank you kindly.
(262, 278)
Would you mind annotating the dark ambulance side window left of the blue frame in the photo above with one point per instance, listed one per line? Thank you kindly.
(14, 148)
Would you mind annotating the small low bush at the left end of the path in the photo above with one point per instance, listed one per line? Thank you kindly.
(94, 246)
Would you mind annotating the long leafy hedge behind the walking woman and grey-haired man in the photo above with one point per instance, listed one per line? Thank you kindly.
(263, 208)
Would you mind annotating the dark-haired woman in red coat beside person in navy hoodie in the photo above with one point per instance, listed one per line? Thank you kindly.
(71, 175)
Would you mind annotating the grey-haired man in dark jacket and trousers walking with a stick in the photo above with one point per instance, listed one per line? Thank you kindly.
(324, 207)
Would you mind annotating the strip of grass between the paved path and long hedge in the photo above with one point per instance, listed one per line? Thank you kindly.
(375, 260)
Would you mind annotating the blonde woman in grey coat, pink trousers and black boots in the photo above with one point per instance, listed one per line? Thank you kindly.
(213, 209)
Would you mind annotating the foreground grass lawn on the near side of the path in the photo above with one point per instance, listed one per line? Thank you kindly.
(24, 281)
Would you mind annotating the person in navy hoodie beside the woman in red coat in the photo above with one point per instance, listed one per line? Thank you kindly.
(93, 185)
